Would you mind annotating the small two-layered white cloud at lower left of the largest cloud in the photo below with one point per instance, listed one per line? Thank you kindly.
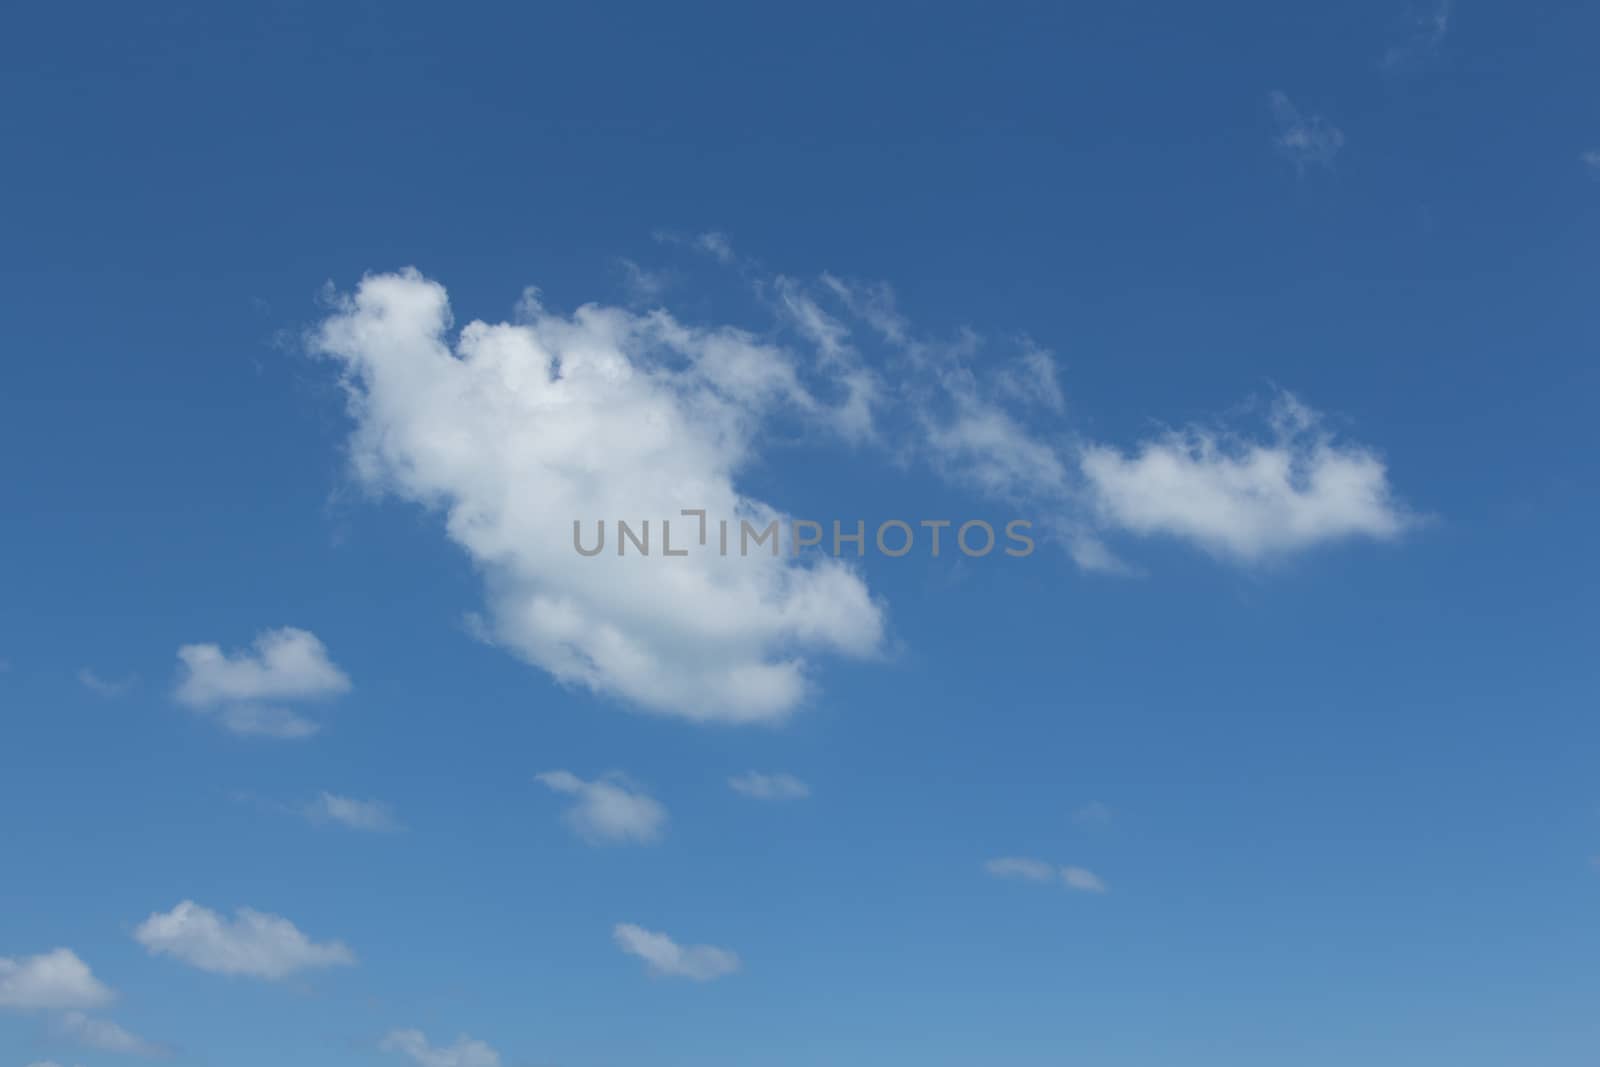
(247, 690)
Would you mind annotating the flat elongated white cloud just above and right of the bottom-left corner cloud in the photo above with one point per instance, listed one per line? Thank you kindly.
(252, 943)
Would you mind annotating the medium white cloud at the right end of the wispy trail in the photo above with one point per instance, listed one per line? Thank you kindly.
(1249, 500)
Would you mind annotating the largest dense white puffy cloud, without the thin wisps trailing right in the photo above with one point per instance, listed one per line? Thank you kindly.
(514, 431)
